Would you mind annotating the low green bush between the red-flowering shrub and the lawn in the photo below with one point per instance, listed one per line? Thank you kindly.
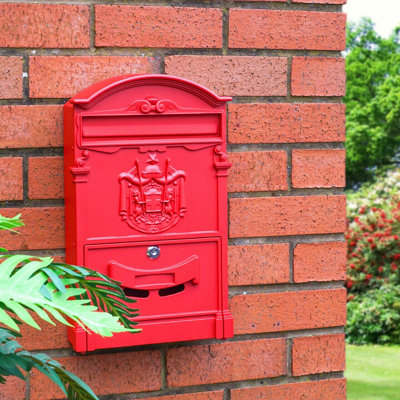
(374, 317)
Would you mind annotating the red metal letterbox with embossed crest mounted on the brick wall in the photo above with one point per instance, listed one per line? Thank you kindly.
(146, 203)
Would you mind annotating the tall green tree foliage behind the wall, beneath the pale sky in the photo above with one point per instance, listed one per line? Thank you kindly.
(372, 101)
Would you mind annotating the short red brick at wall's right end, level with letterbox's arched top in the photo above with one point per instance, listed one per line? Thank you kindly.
(318, 76)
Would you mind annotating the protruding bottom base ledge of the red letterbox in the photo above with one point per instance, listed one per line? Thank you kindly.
(173, 330)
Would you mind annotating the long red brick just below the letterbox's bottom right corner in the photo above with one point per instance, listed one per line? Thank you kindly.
(226, 362)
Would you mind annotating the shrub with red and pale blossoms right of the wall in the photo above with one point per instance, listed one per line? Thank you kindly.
(373, 244)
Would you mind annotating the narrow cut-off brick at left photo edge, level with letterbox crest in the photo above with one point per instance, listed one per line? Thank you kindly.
(11, 180)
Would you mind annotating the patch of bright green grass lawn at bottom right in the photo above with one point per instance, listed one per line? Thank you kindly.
(373, 372)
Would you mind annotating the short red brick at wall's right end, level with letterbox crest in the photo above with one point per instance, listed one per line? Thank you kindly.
(318, 168)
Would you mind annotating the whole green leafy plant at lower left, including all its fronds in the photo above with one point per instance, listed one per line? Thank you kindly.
(67, 294)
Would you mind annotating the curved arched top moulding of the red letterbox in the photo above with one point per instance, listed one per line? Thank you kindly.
(96, 92)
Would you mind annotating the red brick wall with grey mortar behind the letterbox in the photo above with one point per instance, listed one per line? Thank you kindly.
(281, 62)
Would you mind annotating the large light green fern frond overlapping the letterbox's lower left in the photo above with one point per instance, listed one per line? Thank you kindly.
(64, 292)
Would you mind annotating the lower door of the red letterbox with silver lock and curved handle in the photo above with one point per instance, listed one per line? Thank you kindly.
(192, 264)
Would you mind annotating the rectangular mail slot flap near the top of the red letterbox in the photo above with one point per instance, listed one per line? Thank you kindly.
(130, 129)
